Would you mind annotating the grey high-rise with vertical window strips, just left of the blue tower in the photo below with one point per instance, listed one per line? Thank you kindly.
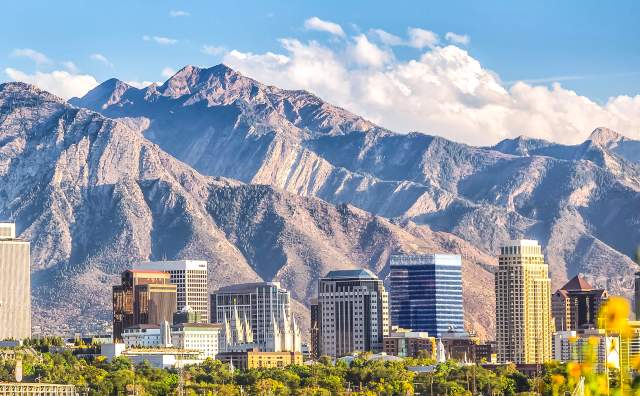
(353, 312)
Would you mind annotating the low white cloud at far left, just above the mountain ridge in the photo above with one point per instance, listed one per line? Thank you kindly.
(58, 82)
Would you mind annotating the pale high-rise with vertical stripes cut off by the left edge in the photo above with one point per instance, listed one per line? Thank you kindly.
(15, 284)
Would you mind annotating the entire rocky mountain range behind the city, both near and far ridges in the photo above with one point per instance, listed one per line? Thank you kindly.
(267, 184)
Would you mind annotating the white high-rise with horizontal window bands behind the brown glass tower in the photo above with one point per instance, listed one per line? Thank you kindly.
(190, 277)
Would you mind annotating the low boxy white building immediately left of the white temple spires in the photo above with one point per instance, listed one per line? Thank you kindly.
(203, 337)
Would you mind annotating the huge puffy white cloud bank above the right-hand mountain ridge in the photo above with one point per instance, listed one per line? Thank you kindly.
(444, 90)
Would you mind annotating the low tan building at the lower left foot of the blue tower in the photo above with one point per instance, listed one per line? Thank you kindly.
(406, 343)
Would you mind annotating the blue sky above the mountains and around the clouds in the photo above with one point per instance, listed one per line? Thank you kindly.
(590, 47)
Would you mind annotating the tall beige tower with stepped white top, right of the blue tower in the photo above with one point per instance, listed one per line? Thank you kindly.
(524, 325)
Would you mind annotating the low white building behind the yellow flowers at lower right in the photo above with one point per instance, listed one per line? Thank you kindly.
(580, 346)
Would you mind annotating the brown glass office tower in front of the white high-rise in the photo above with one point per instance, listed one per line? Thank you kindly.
(143, 297)
